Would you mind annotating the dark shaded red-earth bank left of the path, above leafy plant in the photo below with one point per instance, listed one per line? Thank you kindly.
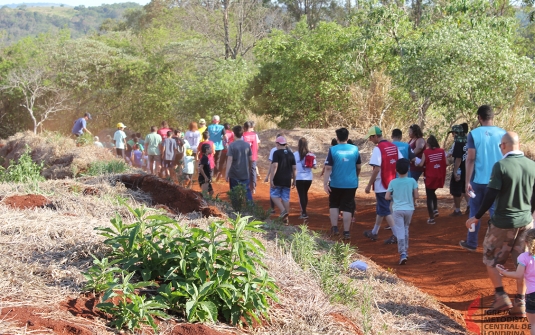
(174, 197)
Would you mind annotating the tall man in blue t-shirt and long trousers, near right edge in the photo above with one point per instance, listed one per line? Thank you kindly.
(482, 153)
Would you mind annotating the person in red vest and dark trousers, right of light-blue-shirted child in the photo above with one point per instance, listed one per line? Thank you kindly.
(434, 162)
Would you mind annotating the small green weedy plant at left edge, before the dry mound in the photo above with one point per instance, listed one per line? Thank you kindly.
(25, 170)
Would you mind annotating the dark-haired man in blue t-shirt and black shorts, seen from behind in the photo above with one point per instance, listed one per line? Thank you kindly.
(340, 180)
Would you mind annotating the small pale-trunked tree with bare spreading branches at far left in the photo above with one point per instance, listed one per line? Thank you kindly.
(39, 96)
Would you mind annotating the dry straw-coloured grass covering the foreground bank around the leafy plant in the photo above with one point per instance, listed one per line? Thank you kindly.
(43, 253)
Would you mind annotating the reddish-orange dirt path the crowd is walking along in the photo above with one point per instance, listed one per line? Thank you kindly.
(437, 264)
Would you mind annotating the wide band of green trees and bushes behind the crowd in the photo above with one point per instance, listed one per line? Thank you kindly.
(299, 64)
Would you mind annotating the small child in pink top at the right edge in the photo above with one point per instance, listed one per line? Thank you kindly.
(525, 271)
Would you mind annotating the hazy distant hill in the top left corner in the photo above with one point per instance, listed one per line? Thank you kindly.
(29, 20)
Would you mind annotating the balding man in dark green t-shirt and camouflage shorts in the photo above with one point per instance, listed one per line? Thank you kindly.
(511, 186)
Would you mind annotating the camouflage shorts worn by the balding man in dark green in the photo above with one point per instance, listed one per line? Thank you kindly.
(499, 243)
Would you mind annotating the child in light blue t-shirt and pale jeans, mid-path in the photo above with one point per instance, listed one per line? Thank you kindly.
(402, 191)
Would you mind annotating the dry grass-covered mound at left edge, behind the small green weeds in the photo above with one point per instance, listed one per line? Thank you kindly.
(61, 157)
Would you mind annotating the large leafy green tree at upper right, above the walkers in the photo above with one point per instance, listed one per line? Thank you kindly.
(456, 65)
